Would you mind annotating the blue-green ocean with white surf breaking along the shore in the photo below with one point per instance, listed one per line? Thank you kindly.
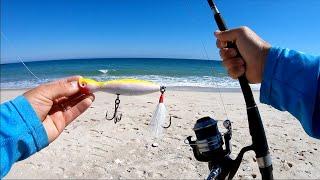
(168, 72)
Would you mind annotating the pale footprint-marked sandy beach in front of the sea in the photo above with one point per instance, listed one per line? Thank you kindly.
(92, 147)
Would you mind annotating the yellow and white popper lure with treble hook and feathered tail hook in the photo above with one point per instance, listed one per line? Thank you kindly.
(129, 87)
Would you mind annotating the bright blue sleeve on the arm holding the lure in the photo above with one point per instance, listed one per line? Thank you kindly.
(21, 134)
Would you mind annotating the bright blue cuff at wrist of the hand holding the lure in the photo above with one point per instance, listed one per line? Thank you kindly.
(32, 121)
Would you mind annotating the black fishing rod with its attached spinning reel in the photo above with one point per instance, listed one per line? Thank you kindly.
(208, 146)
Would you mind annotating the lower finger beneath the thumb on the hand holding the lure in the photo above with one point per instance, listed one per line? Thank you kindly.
(77, 107)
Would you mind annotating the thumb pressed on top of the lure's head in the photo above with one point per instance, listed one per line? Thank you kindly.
(64, 87)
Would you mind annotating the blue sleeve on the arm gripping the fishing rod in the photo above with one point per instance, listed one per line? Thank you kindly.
(291, 83)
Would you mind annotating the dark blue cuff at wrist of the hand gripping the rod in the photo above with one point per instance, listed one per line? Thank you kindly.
(270, 66)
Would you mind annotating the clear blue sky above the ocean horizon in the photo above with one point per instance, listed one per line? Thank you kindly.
(62, 29)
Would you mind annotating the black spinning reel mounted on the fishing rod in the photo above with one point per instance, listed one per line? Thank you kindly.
(209, 148)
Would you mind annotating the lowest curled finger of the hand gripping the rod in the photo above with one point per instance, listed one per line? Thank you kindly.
(235, 67)
